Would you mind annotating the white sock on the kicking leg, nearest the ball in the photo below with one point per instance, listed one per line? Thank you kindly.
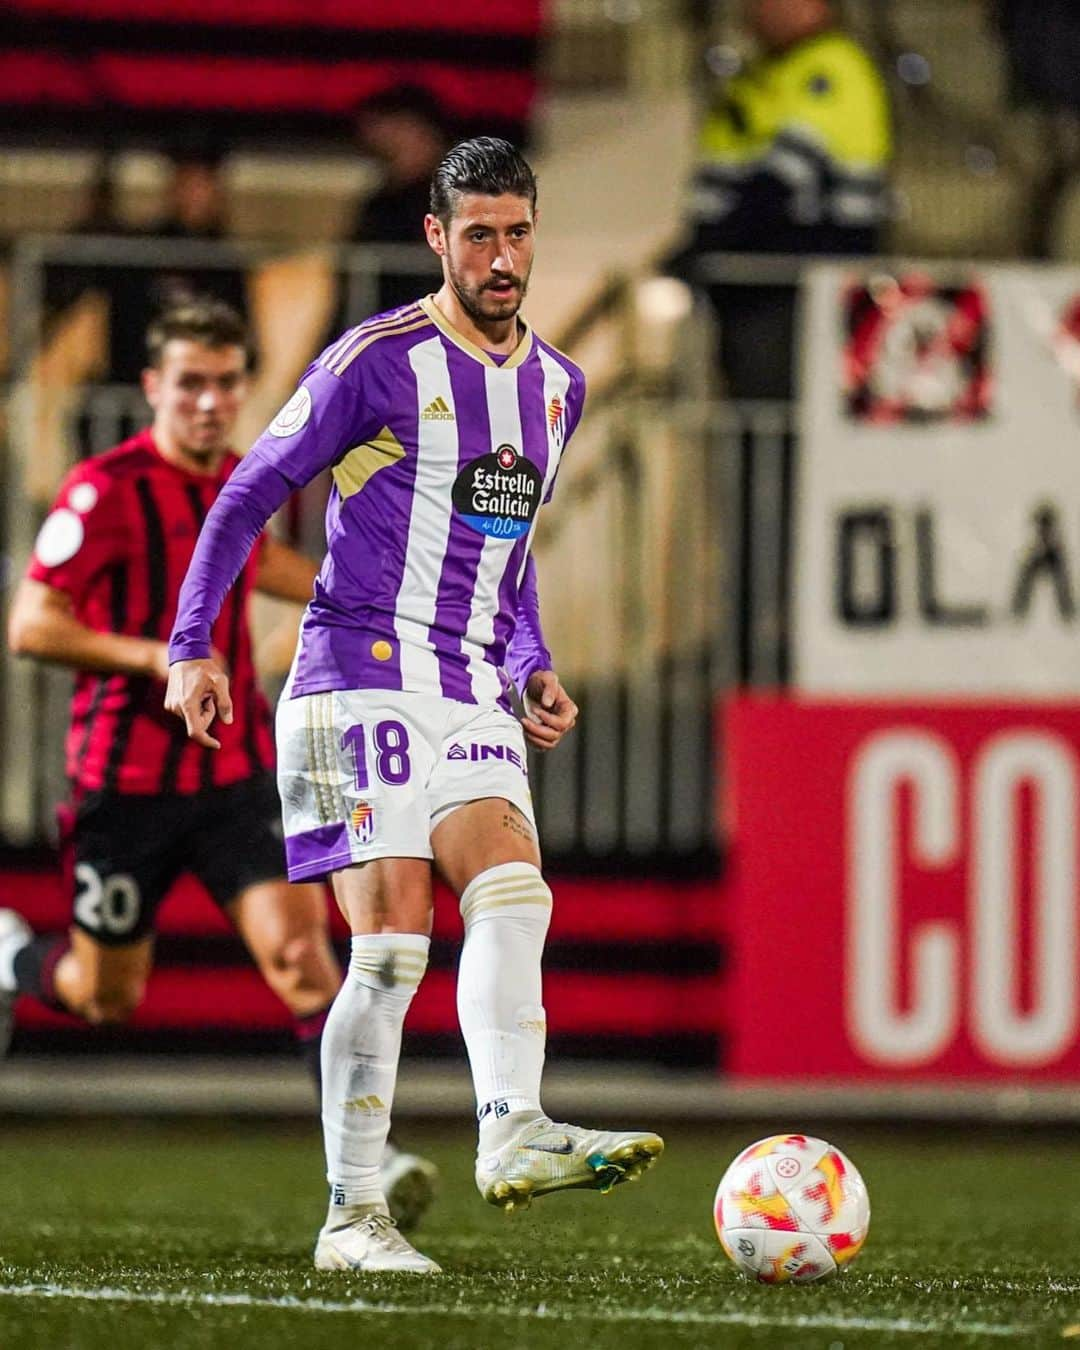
(507, 912)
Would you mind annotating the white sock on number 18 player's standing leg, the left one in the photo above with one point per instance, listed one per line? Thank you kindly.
(361, 1048)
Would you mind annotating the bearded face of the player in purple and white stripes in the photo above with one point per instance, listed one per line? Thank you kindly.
(489, 256)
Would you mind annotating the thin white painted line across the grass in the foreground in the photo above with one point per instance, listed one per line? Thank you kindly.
(826, 1322)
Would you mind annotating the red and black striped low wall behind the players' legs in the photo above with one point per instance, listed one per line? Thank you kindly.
(616, 967)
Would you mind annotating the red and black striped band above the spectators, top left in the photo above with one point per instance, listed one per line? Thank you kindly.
(263, 70)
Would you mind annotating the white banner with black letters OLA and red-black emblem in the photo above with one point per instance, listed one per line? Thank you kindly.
(939, 497)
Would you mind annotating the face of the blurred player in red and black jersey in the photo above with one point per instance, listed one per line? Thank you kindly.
(196, 395)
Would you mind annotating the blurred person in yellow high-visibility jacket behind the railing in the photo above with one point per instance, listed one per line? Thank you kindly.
(794, 152)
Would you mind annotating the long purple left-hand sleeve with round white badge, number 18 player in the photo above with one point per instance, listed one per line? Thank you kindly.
(314, 430)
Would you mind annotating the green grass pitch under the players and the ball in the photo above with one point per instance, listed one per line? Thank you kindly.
(196, 1237)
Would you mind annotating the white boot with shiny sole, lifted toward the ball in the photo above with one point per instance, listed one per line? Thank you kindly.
(545, 1158)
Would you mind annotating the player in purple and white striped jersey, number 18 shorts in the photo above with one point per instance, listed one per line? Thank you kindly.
(443, 425)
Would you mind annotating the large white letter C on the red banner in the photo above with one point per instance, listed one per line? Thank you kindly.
(877, 1024)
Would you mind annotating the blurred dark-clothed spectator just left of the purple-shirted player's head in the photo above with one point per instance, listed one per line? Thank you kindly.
(407, 133)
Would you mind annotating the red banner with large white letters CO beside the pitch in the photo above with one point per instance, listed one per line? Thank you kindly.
(905, 890)
